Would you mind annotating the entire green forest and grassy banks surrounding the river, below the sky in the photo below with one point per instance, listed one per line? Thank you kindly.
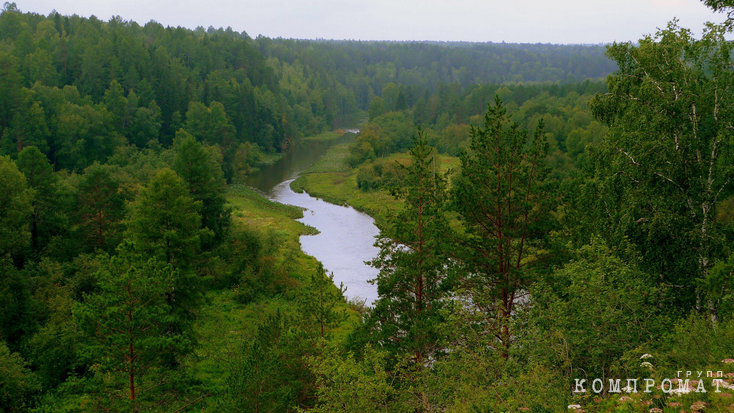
(555, 222)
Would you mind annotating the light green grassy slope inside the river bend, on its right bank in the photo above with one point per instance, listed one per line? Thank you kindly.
(332, 180)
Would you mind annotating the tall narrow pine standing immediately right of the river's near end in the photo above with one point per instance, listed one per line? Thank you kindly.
(413, 280)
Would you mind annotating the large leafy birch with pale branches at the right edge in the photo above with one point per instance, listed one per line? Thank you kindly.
(665, 162)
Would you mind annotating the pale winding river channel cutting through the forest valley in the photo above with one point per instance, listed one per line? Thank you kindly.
(346, 235)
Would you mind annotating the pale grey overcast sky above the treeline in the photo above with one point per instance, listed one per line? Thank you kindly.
(518, 21)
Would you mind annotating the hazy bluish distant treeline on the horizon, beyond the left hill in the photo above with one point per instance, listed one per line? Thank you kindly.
(366, 67)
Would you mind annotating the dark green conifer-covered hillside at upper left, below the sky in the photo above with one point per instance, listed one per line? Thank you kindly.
(77, 88)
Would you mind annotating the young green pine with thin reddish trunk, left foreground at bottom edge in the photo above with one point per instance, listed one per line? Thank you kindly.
(126, 325)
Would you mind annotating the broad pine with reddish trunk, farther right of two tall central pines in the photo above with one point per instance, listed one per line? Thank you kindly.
(503, 202)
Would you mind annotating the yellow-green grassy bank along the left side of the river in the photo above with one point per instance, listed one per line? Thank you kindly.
(230, 318)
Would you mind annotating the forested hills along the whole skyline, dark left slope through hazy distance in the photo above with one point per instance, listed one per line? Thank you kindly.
(78, 88)
